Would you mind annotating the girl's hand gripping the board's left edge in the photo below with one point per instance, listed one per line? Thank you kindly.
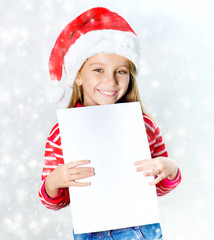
(66, 175)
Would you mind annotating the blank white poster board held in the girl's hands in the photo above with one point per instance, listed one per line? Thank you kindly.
(112, 137)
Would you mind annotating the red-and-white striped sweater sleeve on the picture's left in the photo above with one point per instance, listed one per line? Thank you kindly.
(53, 158)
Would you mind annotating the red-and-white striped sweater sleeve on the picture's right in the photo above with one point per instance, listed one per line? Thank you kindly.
(158, 149)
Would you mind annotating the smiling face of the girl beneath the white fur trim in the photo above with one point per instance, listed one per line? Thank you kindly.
(104, 79)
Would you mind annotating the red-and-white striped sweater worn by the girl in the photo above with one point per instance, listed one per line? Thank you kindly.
(54, 158)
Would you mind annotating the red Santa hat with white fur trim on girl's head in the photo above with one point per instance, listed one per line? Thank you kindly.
(97, 30)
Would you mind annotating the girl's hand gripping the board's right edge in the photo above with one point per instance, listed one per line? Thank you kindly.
(160, 167)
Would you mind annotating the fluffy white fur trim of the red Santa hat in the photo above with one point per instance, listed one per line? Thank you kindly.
(122, 43)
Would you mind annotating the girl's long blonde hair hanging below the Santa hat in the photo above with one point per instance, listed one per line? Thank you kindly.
(132, 93)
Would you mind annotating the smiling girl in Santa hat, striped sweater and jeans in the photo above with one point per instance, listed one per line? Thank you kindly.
(100, 53)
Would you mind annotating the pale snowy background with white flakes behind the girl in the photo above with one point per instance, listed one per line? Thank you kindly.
(176, 84)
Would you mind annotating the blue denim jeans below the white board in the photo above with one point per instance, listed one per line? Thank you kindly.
(145, 232)
